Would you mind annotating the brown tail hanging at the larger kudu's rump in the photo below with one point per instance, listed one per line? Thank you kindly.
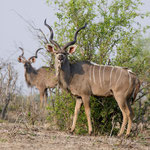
(136, 90)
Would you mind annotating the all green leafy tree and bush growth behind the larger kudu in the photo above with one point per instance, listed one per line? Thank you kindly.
(112, 37)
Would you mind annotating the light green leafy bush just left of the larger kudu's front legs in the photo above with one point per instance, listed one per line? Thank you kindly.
(60, 114)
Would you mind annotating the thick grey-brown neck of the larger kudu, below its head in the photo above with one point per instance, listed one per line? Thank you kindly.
(64, 75)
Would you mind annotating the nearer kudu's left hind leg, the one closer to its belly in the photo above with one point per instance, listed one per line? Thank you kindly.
(123, 107)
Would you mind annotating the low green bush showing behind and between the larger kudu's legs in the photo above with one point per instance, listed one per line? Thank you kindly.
(103, 112)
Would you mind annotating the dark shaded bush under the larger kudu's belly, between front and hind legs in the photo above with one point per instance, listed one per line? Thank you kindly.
(105, 112)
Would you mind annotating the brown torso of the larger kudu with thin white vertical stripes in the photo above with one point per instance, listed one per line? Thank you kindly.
(100, 80)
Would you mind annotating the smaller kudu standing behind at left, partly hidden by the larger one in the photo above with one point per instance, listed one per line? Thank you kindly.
(42, 78)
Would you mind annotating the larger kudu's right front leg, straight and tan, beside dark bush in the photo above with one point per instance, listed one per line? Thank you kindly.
(86, 102)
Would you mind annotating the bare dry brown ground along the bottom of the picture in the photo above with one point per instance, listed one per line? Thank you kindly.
(22, 137)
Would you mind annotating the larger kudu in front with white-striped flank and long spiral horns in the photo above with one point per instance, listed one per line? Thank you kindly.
(84, 79)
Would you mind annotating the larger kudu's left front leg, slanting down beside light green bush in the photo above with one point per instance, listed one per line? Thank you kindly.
(76, 112)
